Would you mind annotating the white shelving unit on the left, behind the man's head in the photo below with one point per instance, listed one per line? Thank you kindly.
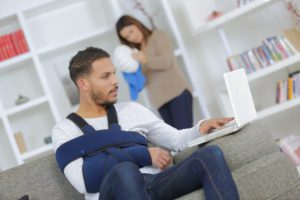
(54, 31)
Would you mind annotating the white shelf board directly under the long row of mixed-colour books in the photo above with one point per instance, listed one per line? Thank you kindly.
(273, 68)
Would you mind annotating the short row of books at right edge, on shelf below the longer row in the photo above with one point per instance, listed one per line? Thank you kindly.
(288, 89)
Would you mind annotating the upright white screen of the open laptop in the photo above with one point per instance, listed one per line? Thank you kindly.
(240, 96)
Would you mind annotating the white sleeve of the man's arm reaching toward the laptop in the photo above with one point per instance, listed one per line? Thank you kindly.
(162, 134)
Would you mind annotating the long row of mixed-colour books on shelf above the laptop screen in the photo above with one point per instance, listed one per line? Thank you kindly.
(271, 51)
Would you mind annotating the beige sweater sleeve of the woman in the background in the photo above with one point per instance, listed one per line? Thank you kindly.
(163, 57)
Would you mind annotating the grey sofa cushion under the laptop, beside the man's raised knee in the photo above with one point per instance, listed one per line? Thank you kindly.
(241, 148)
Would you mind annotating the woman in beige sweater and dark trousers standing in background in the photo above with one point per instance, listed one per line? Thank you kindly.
(168, 91)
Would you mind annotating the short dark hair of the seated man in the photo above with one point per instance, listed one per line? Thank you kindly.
(81, 63)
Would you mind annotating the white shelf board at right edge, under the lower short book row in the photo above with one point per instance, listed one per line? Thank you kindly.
(278, 108)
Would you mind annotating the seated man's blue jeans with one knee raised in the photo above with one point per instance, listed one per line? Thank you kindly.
(206, 168)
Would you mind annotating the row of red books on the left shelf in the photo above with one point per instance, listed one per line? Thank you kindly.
(12, 44)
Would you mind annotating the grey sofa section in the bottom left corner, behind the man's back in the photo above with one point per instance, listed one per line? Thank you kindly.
(39, 179)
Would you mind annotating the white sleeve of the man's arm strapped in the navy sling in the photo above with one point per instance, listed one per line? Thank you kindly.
(73, 171)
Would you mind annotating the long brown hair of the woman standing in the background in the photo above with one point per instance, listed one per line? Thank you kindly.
(127, 20)
